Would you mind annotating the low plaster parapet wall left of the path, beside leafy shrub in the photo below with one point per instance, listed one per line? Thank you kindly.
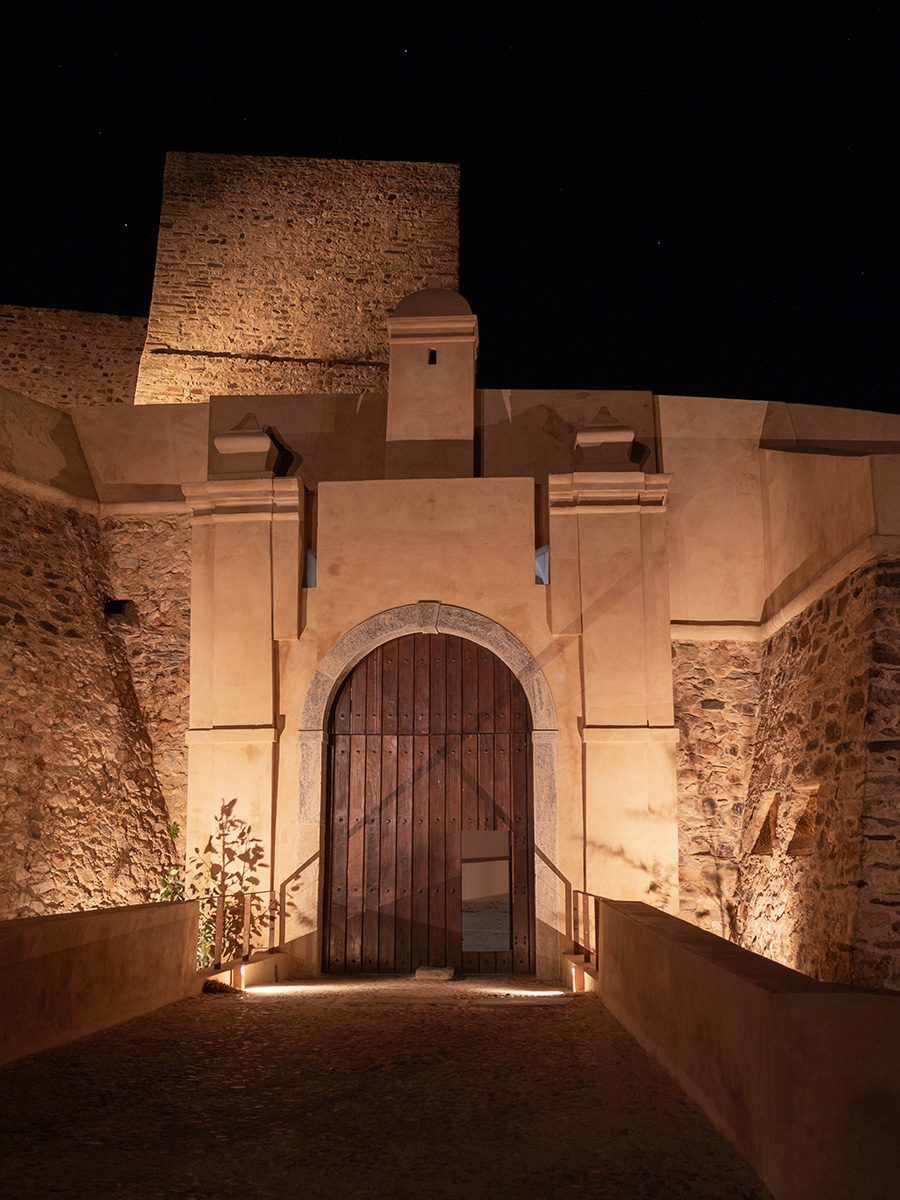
(67, 976)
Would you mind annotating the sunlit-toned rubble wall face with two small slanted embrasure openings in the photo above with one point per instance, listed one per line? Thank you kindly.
(799, 905)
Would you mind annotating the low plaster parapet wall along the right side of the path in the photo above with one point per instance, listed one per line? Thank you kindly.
(803, 1078)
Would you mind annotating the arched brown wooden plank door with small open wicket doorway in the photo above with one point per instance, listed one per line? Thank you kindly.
(430, 845)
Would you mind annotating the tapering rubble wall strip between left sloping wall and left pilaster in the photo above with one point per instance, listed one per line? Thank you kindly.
(151, 565)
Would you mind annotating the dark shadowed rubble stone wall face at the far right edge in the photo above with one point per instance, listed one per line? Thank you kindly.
(877, 959)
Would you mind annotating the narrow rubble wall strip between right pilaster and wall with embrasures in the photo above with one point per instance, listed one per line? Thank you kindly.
(716, 697)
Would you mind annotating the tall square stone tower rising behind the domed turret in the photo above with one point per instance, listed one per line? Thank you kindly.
(278, 275)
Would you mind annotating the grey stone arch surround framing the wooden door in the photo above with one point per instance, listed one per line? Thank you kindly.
(431, 617)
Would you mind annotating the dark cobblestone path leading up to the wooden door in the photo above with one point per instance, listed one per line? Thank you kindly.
(388, 1089)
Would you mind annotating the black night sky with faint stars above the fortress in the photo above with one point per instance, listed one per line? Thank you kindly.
(691, 199)
